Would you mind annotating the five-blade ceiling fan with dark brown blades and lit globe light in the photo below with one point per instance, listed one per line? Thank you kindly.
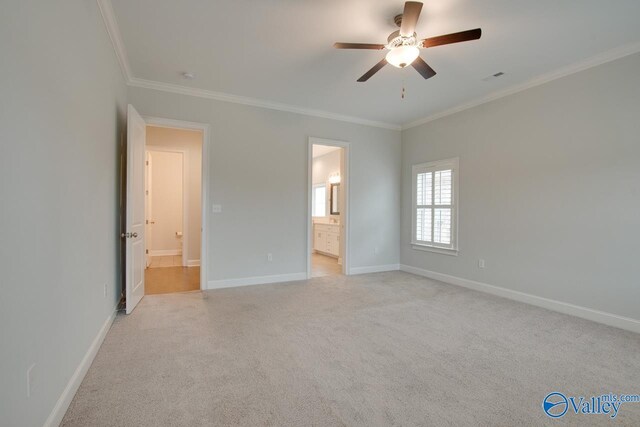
(404, 45)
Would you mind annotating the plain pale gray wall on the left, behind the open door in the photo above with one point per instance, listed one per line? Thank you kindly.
(62, 116)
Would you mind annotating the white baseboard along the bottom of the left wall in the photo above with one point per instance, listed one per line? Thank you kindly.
(57, 414)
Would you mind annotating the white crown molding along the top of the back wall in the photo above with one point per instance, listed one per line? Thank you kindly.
(225, 97)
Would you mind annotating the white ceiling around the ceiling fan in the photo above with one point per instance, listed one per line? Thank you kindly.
(280, 51)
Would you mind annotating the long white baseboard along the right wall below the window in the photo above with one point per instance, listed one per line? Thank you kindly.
(610, 319)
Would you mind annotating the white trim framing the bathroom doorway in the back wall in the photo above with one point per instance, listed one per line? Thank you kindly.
(345, 225)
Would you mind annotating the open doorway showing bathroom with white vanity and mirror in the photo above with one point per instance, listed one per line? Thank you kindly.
(328, 205)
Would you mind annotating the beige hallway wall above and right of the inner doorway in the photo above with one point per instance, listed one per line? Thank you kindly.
(191, 143)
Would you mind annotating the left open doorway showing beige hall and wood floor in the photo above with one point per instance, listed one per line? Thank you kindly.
(173, 209)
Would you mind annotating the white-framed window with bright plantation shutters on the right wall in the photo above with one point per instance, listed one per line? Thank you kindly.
(435, 205)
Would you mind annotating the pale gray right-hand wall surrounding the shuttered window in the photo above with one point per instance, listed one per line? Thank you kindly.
(548, 189)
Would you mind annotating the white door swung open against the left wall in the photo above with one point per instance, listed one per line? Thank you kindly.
(135, 253)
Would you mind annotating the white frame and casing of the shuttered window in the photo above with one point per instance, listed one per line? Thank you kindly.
(453, 164)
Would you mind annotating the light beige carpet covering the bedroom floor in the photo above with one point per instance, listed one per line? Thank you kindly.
(369, 350)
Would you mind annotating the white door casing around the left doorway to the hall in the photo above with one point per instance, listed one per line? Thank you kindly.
(204, 199)
